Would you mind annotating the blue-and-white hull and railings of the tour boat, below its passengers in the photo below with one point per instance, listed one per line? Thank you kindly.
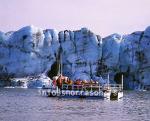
(86, 90)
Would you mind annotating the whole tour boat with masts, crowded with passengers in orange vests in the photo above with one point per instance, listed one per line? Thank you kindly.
(62, 86)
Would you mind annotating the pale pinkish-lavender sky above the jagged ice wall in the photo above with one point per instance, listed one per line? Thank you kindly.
(103, 17)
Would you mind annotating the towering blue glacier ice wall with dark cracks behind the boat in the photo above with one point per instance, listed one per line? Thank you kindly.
(32, 51)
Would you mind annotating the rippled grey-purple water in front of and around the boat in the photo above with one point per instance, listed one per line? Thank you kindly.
(29, 105)
